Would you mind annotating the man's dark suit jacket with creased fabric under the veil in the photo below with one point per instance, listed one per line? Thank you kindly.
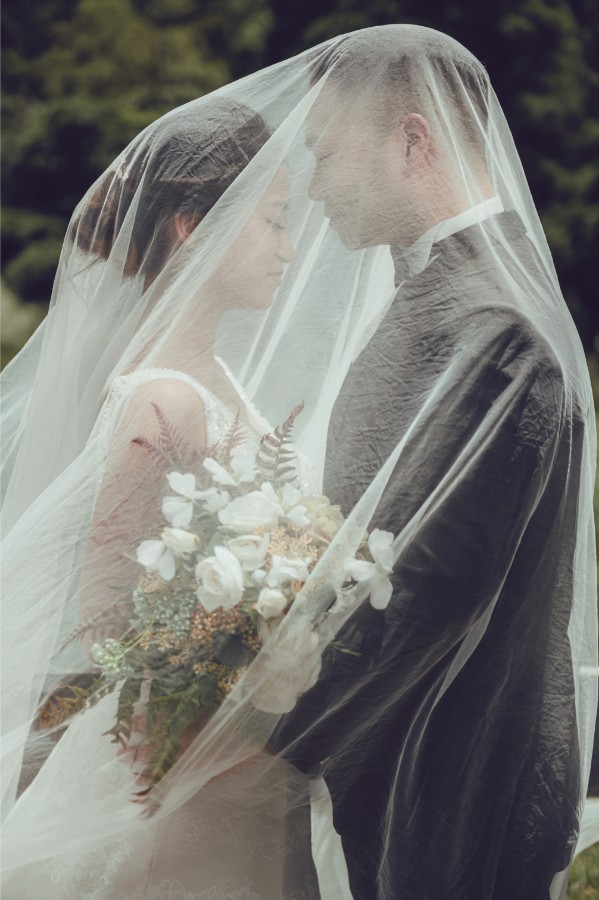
(467, 791)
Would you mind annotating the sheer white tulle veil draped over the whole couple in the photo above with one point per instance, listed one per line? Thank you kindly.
(351, 231)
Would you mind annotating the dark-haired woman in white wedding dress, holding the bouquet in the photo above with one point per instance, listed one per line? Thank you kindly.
(142, 220)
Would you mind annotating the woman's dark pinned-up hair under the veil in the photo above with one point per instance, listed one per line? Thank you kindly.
(185, 168)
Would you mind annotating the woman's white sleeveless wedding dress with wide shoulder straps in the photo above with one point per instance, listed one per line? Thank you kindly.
(181, 856)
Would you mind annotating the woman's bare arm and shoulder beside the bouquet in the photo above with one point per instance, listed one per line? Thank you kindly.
(128, 504)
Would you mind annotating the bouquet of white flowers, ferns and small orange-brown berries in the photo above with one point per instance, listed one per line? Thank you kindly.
(239, 543)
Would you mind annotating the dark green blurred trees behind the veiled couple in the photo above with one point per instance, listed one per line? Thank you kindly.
(82, 77)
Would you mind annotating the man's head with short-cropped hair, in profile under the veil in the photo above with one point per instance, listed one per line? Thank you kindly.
(398, 133)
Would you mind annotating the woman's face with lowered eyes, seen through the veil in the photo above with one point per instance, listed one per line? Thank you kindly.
(256, 261)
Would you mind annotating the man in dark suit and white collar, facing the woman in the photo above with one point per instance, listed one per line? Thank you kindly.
(444, 785)
